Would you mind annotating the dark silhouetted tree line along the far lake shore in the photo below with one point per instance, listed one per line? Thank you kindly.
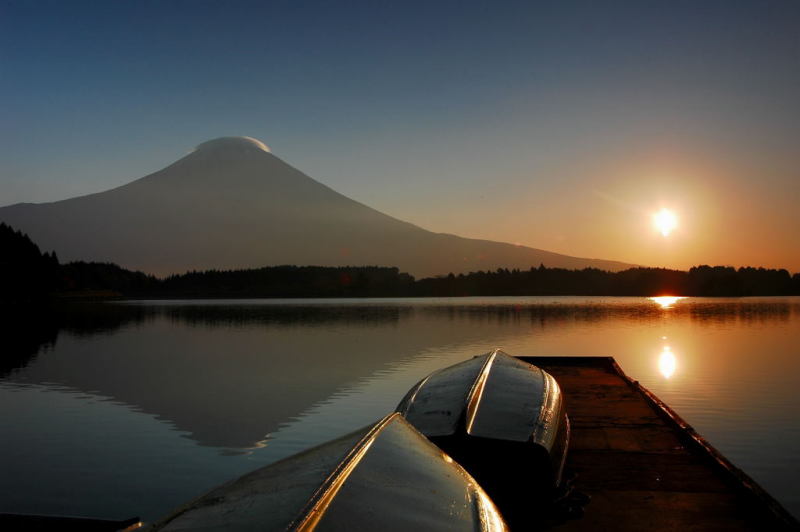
(28, 274)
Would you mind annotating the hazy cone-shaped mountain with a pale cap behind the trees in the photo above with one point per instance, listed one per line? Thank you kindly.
(232, 204)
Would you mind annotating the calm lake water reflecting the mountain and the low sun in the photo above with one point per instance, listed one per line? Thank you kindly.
(121, 409)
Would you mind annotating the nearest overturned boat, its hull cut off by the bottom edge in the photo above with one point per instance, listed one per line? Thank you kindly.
(383, 477)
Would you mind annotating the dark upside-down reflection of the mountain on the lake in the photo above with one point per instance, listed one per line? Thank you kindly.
(227, 376)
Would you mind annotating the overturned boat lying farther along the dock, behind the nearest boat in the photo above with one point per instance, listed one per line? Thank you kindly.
(503, 420)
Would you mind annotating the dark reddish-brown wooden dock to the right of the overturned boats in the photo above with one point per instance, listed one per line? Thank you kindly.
(644, 467)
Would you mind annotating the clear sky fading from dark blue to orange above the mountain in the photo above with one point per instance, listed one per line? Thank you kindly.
(561, 125)
